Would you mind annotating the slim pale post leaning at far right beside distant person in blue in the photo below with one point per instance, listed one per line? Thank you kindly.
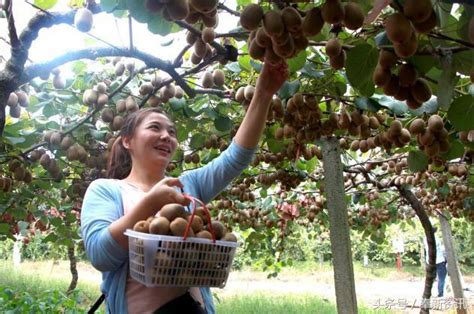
(453, 267)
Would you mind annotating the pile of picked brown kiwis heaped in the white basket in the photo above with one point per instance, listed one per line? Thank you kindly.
(173, 219)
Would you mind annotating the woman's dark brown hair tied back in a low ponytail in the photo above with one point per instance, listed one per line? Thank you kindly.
(120, 161)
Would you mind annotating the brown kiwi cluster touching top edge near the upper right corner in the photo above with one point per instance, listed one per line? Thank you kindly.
(417, 16)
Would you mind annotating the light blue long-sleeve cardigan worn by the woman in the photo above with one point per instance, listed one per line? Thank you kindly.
(102, 205)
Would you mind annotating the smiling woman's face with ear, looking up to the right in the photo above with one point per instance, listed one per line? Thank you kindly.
(153, 142)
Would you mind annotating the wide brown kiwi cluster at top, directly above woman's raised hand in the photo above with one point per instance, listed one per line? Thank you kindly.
(281, 34)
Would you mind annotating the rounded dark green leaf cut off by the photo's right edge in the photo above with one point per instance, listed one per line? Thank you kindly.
(461, 113)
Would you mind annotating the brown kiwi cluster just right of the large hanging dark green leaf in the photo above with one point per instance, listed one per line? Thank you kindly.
(400, 80)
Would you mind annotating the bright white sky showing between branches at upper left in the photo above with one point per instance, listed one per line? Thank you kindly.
(58, 39)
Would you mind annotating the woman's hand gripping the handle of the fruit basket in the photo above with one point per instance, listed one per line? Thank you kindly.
(165, 192)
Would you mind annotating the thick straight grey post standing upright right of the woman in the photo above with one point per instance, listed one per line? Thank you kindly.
(339, 228)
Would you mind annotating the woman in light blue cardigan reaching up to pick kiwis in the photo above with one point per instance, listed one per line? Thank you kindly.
(138, 188)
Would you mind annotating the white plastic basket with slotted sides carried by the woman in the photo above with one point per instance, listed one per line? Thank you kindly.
(158, 260)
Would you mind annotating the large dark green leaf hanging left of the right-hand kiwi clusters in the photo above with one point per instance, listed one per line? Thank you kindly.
(360, 65)
